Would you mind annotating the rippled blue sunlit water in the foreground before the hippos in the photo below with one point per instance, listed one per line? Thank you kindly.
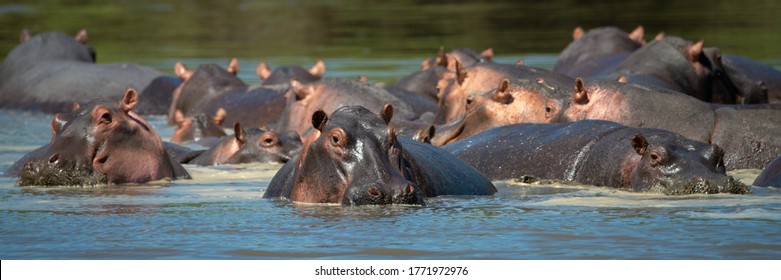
(220, 215)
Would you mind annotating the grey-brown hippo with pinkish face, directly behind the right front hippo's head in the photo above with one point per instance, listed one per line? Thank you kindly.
(749, 136)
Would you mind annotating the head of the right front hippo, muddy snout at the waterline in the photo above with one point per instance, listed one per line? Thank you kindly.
(678, 166)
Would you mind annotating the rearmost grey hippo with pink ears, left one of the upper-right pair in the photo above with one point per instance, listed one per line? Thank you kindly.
(598, 51)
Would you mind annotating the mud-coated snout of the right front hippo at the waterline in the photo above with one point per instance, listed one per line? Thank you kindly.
(700, 185)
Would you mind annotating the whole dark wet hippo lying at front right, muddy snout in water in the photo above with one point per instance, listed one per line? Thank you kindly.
(600, 153)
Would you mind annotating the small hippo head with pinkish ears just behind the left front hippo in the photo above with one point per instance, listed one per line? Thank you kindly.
(200, 126)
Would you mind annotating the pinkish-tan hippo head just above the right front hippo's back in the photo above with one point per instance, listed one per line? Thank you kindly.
(523, 102)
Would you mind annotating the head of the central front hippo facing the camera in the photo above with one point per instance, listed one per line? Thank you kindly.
(353, 158)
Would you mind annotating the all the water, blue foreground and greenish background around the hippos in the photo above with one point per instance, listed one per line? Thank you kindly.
(220, 213)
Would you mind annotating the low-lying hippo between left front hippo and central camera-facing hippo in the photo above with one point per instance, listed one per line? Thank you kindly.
(246, 146)
